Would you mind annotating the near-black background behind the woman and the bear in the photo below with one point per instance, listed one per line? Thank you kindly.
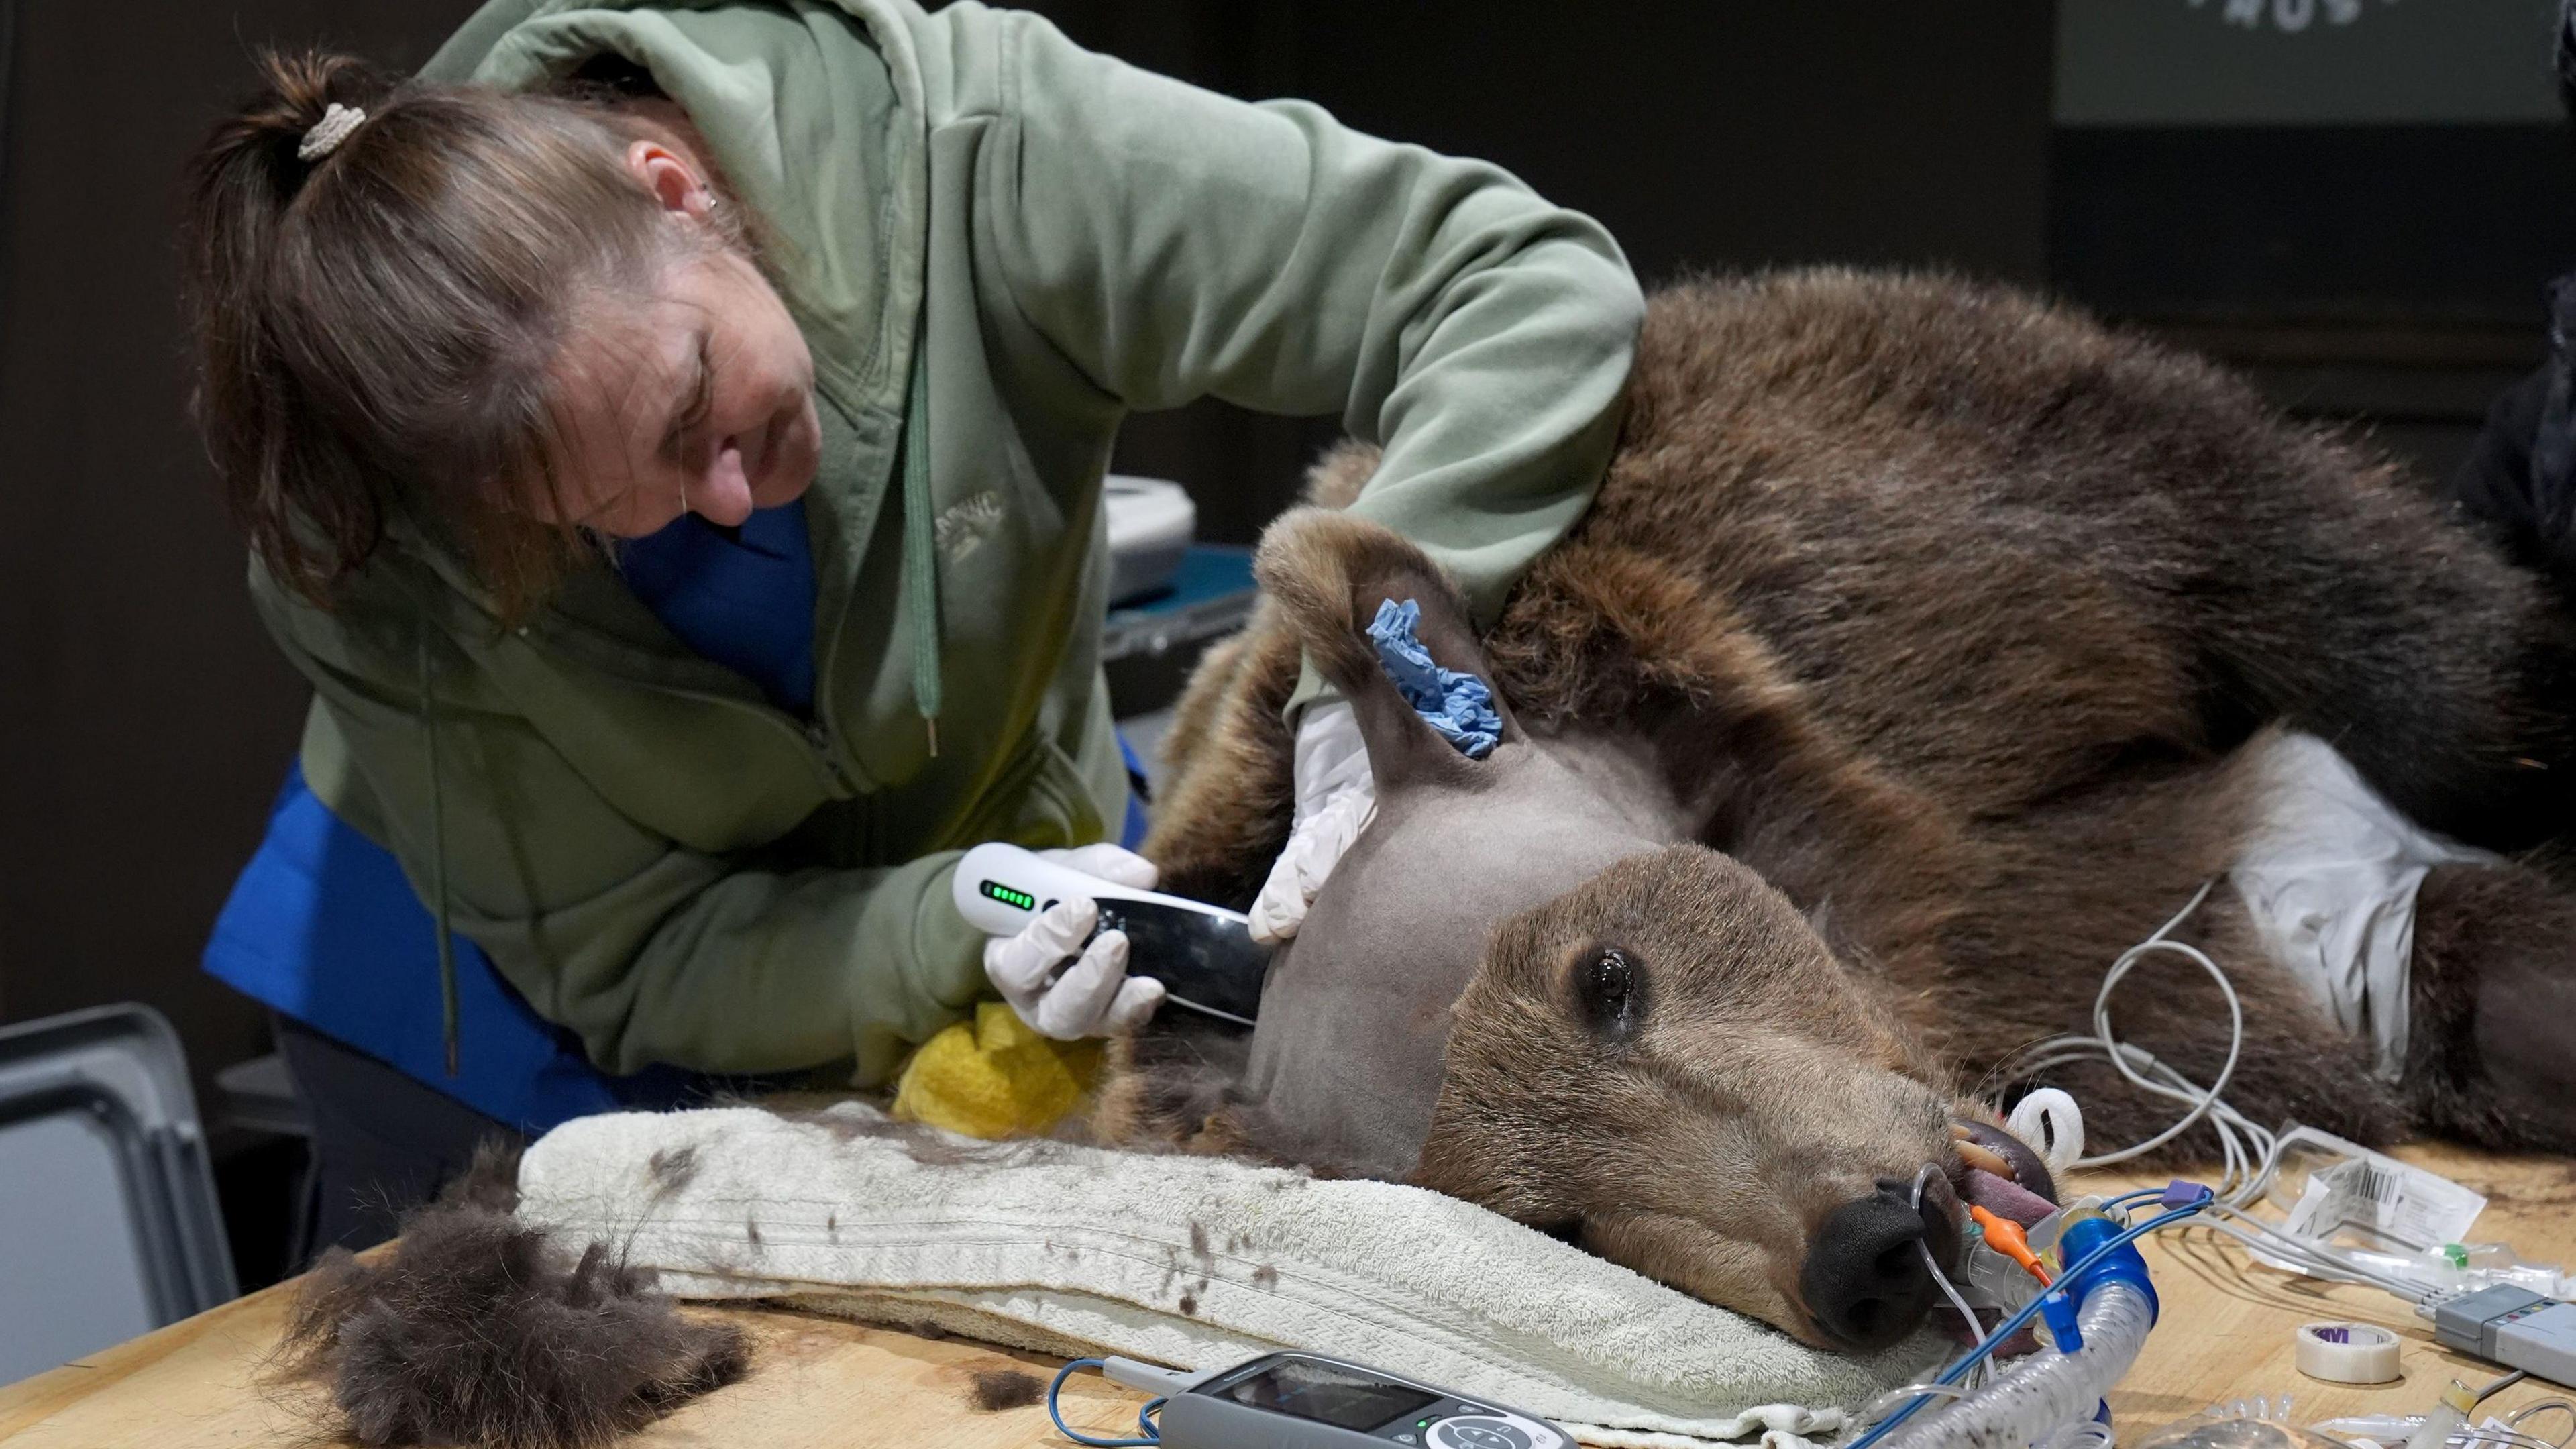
(2387, 272)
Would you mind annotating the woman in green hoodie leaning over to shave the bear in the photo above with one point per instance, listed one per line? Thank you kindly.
(671, 445)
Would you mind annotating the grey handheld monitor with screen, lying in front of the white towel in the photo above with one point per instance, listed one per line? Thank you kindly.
(1307, 1401)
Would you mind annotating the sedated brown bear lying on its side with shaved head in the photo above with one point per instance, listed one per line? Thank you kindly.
(1910, 666)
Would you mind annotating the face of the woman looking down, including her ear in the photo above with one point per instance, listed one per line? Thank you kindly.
(694, 396)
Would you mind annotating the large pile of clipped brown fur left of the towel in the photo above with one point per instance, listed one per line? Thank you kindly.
(483, 1332)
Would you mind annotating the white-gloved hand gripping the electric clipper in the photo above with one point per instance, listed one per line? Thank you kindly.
(1094, 997)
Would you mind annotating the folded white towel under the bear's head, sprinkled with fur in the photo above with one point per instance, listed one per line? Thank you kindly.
(1189, 1262)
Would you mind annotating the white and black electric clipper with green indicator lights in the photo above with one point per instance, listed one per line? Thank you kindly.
(1204, 955)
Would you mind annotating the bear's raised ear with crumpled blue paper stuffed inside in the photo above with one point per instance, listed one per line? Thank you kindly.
(1331, 574)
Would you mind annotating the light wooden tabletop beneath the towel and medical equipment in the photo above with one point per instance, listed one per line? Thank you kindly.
(833, 1386)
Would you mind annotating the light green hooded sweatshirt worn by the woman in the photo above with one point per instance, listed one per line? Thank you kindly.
(681, 873)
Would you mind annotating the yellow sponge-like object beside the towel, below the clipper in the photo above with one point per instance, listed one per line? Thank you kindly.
(996, 1076)
